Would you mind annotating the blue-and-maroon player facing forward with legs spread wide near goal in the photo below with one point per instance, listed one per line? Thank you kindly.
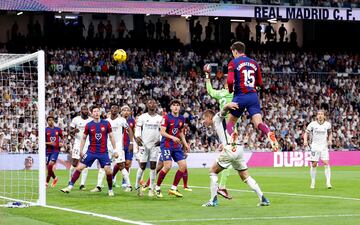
(98, 131)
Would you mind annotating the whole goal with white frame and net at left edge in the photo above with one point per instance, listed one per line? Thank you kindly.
(22, 129)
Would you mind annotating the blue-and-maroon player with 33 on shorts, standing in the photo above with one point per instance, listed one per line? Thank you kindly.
(173, 139)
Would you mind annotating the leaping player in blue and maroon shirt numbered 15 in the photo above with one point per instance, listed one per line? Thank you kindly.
(244, 76)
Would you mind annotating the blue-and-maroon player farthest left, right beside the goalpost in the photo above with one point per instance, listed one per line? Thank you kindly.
(53, 144)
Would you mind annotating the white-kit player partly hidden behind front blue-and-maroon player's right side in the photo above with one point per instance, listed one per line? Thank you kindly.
(118, 125)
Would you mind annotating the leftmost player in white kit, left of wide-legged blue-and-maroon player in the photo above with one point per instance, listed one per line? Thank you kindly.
(77, 127)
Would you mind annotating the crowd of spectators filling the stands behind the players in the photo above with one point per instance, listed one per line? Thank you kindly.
(290, 96)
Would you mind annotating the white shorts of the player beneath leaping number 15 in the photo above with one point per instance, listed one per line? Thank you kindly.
(234, 158)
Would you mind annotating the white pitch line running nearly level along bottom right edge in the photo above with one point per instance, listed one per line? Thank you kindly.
(255, 218)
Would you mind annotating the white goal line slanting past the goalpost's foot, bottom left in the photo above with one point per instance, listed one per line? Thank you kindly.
(83, 212)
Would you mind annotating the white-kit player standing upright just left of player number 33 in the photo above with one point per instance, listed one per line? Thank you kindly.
(147, 136)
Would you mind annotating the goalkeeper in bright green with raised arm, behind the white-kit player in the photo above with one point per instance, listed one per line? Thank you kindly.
(223, 97)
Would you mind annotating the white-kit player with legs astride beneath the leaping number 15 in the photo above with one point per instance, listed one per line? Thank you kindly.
(231, 154)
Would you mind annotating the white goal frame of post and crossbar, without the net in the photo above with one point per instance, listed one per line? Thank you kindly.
(40, 57)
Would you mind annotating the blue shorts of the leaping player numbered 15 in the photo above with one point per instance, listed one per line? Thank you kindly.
(249, 101)
